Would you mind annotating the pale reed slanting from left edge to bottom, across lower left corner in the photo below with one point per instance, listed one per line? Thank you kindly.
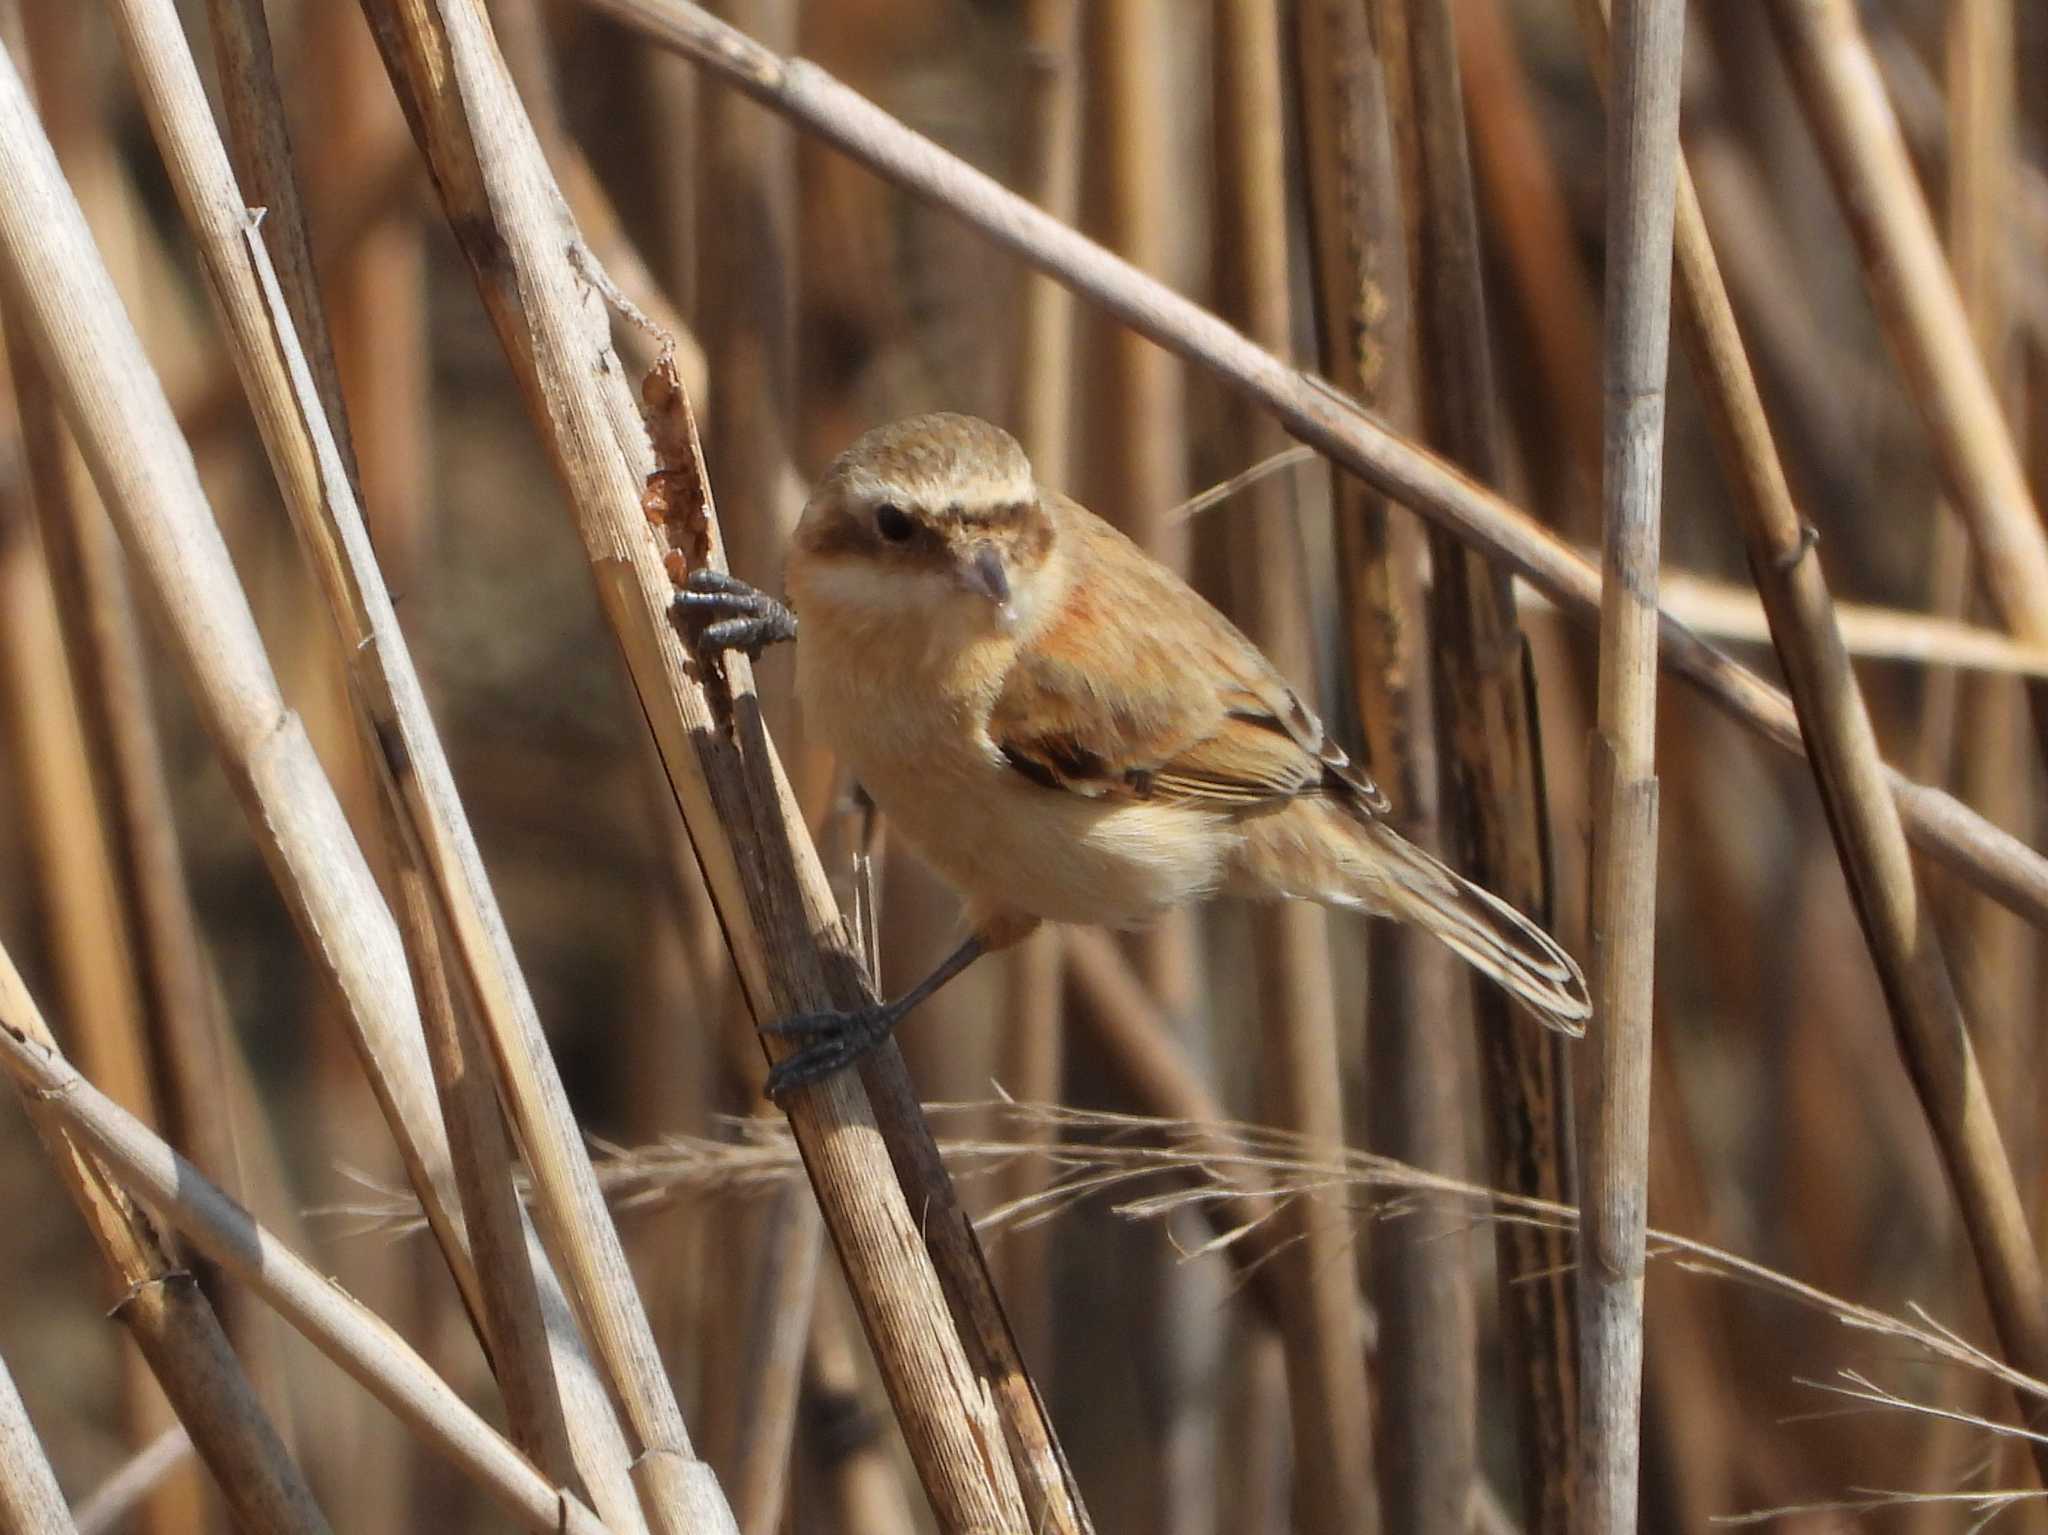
(335, 1323)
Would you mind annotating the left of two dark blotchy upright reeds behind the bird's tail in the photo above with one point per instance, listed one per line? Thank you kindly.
(1422, 1272)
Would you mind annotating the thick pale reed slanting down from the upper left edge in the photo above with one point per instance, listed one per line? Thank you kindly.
(151, 486)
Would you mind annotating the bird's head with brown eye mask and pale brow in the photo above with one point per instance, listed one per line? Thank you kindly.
(929, 519)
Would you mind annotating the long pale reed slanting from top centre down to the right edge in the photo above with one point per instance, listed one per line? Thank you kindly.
(1314, 412)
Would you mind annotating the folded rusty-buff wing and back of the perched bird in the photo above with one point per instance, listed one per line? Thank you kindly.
(1138, 689)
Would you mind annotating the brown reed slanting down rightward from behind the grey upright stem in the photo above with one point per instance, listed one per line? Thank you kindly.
(1863, 818)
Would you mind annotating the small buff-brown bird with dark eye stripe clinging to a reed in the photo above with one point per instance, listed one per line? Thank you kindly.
(1066, 730)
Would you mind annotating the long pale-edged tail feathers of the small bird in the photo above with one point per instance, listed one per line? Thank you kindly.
(1478, 926)
